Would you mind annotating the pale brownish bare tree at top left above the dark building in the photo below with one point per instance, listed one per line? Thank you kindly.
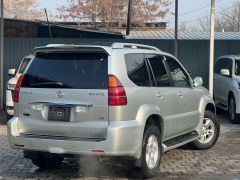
(22, 9)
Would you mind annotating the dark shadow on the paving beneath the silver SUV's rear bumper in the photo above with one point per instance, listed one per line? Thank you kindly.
(87, 167)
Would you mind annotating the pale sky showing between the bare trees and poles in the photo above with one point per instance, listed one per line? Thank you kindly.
(189, 10)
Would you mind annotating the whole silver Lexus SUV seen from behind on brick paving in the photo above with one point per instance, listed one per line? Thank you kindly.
(124, 100)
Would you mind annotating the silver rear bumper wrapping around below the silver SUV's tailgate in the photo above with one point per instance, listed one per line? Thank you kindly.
(124, 138)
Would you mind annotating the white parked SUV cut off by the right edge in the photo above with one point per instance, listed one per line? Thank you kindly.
(227, 85)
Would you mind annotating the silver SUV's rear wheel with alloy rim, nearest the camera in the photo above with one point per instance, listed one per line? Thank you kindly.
(151, 138)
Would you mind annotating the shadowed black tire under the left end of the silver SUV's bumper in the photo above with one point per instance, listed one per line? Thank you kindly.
(46, 160)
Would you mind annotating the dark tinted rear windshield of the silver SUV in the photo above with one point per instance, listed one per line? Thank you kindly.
(68, 70)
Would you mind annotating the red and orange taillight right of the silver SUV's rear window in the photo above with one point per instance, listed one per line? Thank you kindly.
(116, 92)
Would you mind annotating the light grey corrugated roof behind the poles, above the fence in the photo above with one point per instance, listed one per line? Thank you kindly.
(183, 35)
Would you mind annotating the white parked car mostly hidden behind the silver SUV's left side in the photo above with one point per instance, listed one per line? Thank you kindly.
(13, 81)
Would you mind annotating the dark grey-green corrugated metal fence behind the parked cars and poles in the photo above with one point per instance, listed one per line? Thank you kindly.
(194, 54)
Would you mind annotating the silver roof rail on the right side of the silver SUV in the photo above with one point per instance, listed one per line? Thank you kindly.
(133, 46)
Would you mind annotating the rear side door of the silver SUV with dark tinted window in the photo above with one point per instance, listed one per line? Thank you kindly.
(164, 94)
